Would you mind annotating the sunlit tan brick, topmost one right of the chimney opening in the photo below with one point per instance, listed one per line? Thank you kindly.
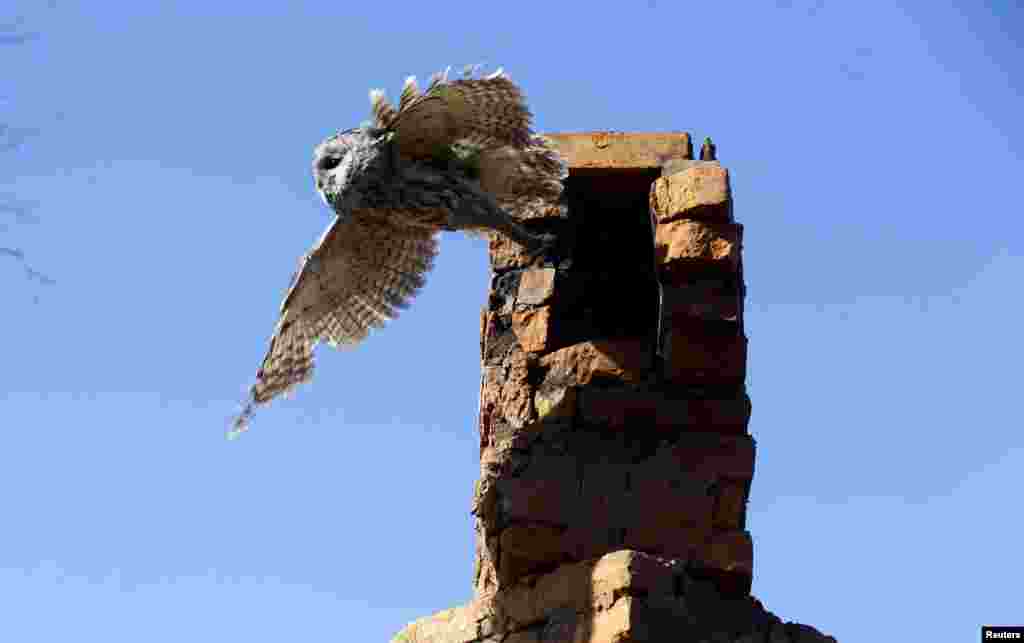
(701, 192)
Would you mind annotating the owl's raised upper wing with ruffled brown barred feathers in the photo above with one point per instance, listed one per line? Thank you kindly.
(487, 112)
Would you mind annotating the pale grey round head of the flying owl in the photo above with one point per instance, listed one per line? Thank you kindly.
(343, 164)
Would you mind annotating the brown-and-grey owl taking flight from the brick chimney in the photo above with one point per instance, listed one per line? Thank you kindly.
(460, 156)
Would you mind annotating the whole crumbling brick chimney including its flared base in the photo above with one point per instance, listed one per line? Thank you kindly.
(615, 456)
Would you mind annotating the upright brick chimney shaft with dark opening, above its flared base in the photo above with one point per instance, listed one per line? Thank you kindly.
(599, 433)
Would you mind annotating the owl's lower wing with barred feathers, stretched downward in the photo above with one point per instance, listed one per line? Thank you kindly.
(360, 275)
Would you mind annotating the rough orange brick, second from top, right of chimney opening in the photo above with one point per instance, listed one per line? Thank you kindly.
(686, 247)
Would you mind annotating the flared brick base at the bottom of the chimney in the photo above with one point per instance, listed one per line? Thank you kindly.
(622, 596)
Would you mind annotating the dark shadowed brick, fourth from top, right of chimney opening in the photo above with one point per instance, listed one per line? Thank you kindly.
(696, 357)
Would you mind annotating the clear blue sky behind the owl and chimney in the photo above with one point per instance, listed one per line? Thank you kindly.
(876, 162)
